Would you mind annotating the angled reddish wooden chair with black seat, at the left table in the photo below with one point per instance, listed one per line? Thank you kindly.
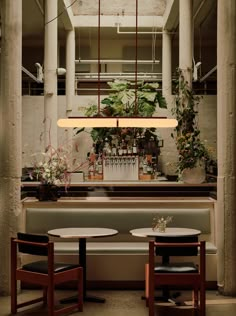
(45, 273)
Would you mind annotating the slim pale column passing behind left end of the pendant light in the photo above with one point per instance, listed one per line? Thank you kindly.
(70, 77)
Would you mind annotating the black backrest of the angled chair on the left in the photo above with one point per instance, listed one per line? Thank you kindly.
(31, 248)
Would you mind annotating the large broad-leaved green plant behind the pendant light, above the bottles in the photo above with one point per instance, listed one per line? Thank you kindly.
(127, 99)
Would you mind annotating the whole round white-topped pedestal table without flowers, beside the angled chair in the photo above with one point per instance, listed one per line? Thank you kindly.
(82, 233)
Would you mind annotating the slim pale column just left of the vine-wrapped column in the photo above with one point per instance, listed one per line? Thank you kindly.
(166, 65)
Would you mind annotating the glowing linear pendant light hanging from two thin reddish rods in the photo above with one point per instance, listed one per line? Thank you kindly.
(123, 122)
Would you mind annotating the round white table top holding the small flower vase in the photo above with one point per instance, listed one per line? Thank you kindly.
(169, 232)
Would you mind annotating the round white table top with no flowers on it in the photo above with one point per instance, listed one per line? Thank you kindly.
(82, 232)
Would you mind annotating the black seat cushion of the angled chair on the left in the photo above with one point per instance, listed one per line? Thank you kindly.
(42, 267)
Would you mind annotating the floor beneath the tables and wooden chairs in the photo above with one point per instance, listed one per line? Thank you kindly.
(128, 303)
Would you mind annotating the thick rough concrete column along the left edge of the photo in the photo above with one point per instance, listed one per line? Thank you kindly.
(11, 149)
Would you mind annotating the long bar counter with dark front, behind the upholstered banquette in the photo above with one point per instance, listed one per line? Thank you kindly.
(135, 189)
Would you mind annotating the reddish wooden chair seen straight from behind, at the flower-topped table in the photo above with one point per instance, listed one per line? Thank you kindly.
(181, 274)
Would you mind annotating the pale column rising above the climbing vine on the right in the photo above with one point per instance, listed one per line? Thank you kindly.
(186, 38)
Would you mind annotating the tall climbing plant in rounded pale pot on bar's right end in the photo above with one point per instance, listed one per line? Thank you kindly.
(192, 152)
